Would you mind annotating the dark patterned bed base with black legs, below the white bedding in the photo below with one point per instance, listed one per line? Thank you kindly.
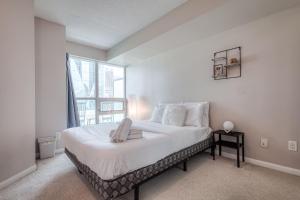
(111, 189)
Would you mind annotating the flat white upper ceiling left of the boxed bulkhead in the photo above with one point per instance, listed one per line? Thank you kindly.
(103, 23)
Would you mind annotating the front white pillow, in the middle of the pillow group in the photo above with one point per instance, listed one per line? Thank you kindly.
(174, 115)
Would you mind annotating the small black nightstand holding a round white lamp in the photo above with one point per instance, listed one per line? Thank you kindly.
(235, 145)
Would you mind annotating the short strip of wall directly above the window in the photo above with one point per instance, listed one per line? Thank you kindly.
(85, 51)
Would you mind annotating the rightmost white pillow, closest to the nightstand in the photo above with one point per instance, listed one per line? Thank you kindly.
(197, 114)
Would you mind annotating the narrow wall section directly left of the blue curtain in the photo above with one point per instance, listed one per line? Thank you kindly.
(50, 49)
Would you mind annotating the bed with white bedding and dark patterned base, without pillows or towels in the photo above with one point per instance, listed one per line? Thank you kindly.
(114, 169)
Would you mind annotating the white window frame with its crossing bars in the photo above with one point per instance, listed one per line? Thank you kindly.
(99, 99)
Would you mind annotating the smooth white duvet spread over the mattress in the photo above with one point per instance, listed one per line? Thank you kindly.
(92, 146)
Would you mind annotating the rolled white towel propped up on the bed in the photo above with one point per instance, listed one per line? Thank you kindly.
(121, 134)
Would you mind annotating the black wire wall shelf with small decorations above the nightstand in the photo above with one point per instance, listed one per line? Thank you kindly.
(227, 64)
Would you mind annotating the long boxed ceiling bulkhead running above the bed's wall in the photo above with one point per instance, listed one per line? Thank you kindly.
(204, 18)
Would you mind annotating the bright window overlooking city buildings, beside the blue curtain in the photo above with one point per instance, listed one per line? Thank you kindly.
(99, 89)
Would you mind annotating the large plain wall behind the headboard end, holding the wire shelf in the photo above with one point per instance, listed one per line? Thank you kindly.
(265, 101)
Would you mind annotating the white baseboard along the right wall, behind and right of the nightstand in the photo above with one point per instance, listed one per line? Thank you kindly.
(265, 164)
